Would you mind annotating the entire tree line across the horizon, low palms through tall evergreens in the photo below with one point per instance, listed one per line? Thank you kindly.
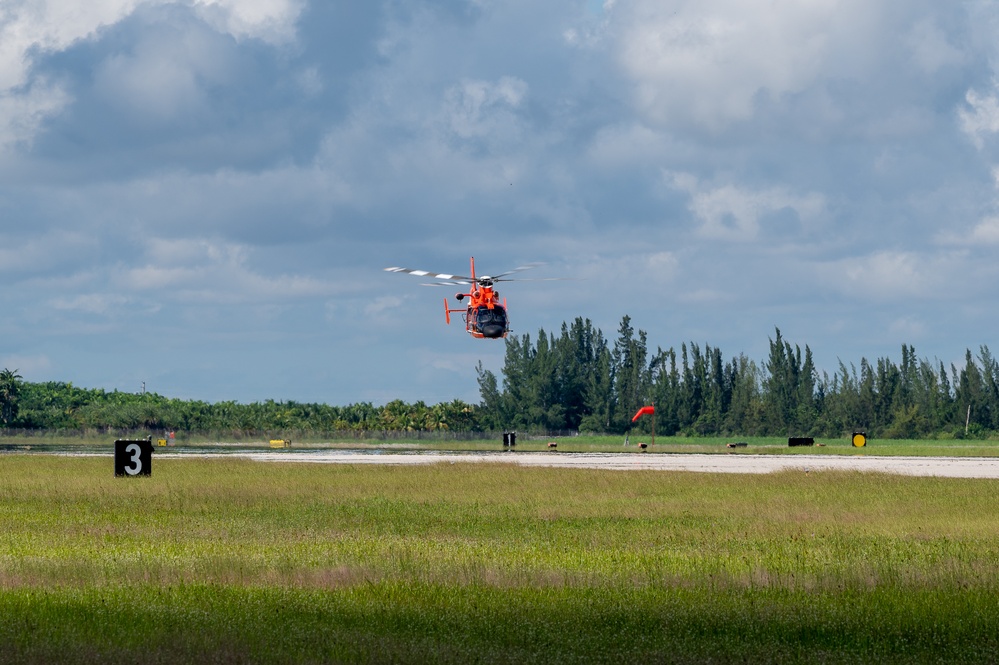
(580, 381)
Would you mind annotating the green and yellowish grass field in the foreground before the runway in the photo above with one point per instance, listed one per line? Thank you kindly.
(231, 561)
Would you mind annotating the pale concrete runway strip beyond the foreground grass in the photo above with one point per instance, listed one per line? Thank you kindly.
(952, 467)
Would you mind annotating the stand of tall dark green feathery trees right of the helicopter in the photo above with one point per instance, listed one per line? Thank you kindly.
(580, 380)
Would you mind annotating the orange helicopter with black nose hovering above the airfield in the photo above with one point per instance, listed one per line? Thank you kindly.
(485, 317)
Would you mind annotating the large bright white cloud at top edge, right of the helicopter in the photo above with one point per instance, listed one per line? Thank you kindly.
(704, 62)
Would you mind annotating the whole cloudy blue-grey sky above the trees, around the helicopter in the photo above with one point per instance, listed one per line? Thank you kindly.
(200, 196)
